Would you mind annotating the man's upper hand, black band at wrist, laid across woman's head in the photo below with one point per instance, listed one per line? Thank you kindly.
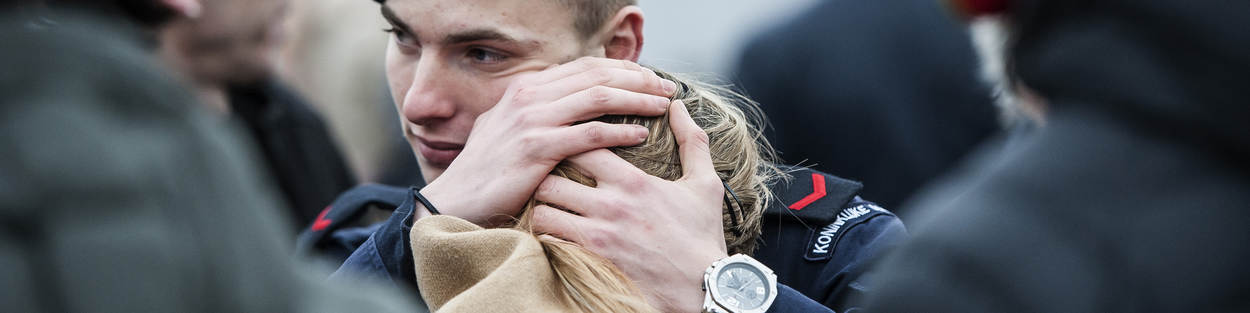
(517, 143)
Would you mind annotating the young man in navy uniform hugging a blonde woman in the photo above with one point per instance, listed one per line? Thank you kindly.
(492, 96)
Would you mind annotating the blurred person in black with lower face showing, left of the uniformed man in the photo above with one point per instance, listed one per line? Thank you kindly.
(228, 54)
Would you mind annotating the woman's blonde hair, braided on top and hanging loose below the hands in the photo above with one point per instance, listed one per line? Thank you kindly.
(743, 160)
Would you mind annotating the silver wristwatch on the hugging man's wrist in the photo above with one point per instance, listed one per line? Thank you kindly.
(739, 285)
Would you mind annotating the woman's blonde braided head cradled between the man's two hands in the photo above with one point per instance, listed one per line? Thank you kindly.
(742, 157)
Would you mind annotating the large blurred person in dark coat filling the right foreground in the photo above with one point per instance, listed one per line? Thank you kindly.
(1134, 197)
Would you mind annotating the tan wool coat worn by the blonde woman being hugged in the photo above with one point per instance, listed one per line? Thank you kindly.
(462, 267)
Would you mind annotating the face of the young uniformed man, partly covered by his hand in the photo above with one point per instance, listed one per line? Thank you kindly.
(452, 61)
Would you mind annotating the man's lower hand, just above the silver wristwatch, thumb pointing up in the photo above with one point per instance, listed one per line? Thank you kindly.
(663, 235)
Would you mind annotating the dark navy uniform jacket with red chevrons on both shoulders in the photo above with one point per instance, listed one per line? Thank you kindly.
(819, 239)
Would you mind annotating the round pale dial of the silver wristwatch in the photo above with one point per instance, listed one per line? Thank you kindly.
(742, 287)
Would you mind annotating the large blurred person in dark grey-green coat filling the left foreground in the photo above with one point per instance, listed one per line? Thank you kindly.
(121, 193)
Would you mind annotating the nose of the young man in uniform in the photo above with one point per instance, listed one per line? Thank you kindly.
(429, 100)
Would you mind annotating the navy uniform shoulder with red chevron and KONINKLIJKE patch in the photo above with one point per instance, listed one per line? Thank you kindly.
(821, 237)
